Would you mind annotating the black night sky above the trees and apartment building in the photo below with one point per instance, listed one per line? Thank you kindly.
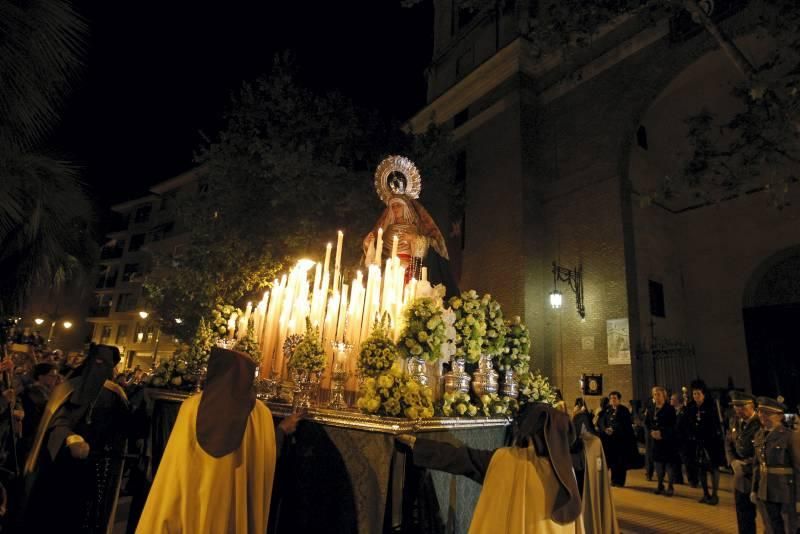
(158, 73)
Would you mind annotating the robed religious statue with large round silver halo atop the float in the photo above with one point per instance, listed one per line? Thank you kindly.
(419, 241)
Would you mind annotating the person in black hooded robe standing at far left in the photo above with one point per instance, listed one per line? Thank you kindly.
(65, 494)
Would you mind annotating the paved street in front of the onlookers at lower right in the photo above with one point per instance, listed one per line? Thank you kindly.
(641, 511)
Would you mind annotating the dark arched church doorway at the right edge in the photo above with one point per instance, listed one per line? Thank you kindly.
(771, 320)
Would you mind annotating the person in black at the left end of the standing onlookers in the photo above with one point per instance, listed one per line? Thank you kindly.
(619, 444)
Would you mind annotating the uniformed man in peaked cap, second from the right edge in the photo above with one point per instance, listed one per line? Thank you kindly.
(740, 452)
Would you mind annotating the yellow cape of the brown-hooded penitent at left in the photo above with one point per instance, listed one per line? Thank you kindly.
(194, 492)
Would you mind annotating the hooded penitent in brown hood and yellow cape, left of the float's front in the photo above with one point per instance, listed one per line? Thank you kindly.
(217, 469)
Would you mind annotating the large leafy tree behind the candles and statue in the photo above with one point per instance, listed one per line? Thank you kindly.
(289, 168)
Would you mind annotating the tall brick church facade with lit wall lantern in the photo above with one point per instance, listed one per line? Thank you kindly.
(558, 153)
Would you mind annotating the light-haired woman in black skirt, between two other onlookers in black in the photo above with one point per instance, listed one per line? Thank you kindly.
(660, 426)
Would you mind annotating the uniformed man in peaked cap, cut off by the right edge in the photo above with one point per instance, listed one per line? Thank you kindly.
(776, 467)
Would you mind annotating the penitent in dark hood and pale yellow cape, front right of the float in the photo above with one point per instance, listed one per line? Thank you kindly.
(530, 487)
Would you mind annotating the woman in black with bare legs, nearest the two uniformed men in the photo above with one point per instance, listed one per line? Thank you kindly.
(705, 439)
